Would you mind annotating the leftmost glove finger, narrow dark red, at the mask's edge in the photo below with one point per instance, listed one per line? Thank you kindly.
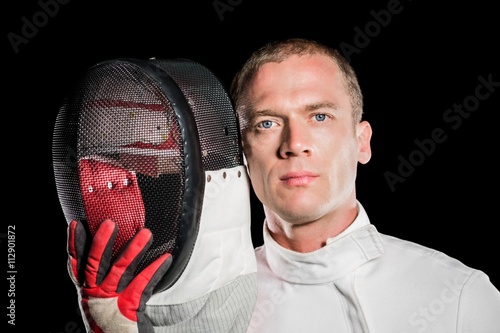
(76, 245)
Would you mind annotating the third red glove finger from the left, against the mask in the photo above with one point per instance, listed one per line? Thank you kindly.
(122, 271)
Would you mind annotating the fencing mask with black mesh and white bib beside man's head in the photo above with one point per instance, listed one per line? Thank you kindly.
(155, 143)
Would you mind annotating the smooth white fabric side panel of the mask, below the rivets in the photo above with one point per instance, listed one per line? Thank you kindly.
(223, 249)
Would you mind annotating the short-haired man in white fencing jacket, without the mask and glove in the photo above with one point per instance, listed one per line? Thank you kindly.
(323, 266)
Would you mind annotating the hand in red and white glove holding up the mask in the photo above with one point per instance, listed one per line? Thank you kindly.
(111, 298)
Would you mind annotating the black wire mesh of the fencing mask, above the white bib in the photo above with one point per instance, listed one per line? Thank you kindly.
(119, 150)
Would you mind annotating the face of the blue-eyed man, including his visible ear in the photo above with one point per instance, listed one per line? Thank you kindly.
(301, 144)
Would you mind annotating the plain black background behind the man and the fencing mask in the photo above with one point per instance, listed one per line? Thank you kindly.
(412, 68)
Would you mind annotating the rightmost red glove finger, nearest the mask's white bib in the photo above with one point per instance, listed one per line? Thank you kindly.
(133, 299)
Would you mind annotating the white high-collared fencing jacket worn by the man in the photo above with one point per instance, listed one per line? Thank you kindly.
(363, 281)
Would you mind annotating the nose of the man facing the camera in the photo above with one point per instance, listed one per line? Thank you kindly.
(296, 140)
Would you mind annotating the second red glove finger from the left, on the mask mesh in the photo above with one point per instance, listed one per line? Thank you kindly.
(100, 254)
